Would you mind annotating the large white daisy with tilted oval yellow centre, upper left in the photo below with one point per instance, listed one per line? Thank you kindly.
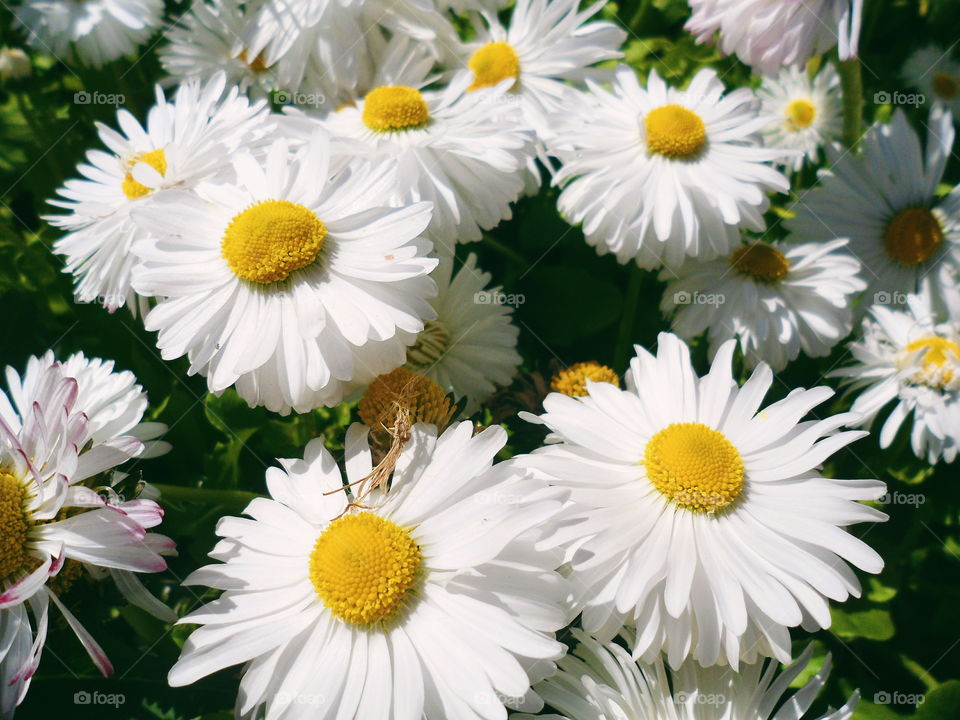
(289, 281)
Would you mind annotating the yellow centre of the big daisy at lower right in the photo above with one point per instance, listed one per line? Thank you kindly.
(695, 467)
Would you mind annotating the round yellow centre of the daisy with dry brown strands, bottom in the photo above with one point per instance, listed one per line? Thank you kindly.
(364, 567)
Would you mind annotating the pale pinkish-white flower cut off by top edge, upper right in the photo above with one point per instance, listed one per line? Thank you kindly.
(769, 34)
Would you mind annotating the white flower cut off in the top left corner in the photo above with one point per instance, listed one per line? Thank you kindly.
(93, 31)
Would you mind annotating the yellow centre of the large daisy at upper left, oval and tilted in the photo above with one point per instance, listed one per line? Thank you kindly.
(271, 239)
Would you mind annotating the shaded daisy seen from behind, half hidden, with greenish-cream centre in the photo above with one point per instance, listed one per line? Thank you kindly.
(470, 348)
